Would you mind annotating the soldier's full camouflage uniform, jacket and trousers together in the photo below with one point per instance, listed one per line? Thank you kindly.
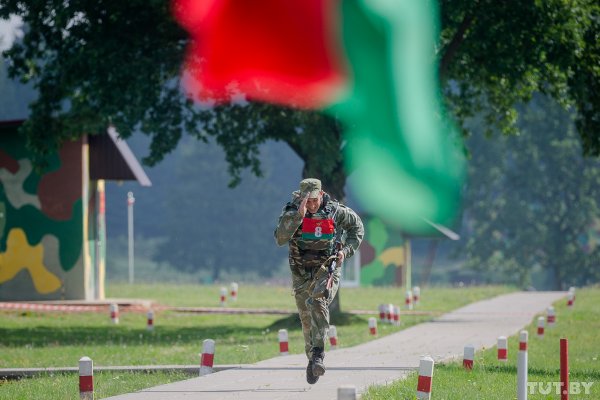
(307, 254)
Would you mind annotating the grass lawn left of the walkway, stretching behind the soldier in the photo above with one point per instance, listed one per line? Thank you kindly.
(30, 339)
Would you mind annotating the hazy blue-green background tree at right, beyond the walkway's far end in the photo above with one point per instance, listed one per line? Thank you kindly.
(530, 200)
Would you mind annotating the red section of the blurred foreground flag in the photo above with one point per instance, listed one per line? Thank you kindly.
(284, 52)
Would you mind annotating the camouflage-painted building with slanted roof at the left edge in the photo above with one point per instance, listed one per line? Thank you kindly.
(52, 223)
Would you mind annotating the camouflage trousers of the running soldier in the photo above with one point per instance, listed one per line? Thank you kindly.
(312, 308)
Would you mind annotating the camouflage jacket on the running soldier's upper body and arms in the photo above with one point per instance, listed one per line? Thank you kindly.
(346, 224)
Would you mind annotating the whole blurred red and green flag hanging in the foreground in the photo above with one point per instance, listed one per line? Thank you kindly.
(369, 62)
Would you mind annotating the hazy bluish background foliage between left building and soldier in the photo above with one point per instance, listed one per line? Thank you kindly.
(191, 220)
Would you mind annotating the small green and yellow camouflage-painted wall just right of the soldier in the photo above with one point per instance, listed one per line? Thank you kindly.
(383, 255)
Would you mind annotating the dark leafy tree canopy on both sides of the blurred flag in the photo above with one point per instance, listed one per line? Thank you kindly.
(119, 62)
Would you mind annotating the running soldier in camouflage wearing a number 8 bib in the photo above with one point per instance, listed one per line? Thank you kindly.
(321, 234)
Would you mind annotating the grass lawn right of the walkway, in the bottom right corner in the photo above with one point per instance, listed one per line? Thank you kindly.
(491, 380)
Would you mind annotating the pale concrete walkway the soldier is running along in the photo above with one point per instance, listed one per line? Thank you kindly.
(377, 362)
